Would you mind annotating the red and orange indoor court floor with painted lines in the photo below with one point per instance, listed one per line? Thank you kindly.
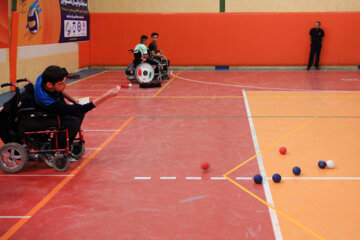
(141, 179)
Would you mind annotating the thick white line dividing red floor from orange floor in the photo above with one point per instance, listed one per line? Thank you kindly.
(273, 216)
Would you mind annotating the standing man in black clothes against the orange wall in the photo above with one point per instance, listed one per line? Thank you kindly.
(316, 35)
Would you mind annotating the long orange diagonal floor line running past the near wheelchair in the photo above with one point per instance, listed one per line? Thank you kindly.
(10, 232)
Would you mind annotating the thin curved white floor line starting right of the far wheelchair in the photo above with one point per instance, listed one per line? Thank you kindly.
(241, 86)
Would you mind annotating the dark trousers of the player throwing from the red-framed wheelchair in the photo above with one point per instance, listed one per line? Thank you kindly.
(72, 124)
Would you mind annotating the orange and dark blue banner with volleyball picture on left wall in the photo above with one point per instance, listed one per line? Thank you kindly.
(52, 21)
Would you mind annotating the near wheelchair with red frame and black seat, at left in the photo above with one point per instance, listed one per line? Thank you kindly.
(30, 134)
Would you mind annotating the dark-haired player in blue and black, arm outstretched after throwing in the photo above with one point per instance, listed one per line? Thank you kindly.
(50, 96)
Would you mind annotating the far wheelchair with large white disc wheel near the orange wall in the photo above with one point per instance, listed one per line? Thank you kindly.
(146, 73)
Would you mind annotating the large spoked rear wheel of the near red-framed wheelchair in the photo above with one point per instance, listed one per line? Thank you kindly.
(13, 157)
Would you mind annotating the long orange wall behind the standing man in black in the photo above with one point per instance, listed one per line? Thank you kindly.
(226, 38)
